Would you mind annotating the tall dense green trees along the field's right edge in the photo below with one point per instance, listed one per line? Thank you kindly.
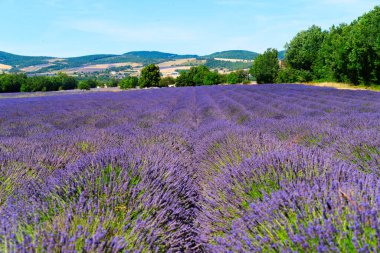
(348, 53)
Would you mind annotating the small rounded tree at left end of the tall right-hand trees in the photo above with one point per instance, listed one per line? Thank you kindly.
(266, 67)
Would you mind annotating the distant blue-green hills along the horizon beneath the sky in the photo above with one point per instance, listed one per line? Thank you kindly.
(48, 64)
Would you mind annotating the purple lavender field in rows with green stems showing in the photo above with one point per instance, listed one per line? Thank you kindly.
(272, 168)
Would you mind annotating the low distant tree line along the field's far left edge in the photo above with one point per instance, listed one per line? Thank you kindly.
(150, 77)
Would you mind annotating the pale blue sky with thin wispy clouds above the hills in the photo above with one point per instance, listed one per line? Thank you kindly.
(80, 27)
